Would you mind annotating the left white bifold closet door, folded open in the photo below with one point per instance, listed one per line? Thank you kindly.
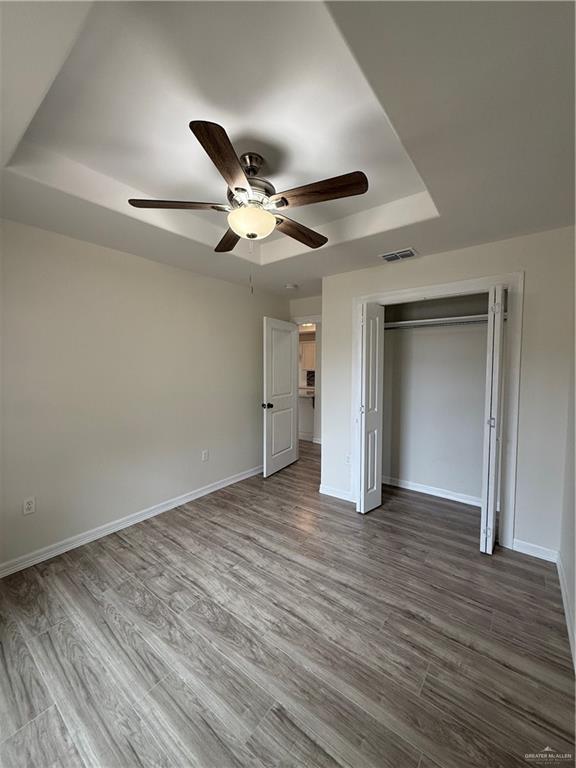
(371, 408)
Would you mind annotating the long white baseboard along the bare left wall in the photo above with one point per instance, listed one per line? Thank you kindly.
(39, 555)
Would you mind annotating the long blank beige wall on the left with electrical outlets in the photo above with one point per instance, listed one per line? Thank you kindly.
(118, 372)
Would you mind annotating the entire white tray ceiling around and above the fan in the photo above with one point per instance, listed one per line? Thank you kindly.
(461, 114)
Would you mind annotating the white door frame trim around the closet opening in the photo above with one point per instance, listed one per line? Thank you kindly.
(514, 283)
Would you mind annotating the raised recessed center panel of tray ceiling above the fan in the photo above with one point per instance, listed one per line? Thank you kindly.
(141, 71)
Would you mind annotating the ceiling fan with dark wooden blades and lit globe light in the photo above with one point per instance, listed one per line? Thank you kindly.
(254, 207)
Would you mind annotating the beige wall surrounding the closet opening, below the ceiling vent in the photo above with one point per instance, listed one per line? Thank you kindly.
(548, 338)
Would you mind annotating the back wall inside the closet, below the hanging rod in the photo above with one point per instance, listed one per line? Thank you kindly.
(434, 385)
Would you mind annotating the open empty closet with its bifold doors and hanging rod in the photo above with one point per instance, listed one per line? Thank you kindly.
(431, 399)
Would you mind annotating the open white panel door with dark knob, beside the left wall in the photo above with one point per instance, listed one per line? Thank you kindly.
(280, 401)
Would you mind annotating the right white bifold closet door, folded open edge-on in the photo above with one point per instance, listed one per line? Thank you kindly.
(493, 420)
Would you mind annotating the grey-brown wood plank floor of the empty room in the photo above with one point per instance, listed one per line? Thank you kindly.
(266, 625)
